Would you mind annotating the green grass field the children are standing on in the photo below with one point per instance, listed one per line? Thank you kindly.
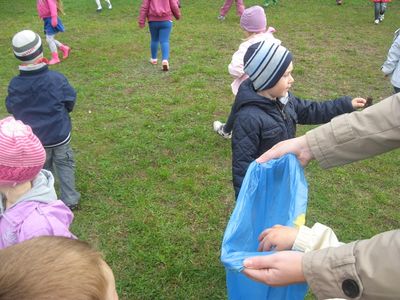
(155, 179)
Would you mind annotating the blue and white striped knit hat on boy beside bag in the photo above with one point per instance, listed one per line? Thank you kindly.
(265, 63)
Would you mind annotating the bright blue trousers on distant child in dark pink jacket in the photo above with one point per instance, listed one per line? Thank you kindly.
(160, 32)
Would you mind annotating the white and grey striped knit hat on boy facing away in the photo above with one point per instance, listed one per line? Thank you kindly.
(27, 46)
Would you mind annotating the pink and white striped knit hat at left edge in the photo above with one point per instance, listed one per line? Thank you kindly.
(22, 156)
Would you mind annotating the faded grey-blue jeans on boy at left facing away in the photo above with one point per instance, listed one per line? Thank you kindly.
(61, 160)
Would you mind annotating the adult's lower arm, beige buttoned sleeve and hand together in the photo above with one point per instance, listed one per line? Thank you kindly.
(367, 269)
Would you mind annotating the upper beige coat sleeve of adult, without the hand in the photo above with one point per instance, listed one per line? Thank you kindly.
(359, 135)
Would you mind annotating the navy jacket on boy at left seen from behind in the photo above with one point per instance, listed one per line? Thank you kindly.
(43, 99)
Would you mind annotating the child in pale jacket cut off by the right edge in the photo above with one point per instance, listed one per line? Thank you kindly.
(391, 67)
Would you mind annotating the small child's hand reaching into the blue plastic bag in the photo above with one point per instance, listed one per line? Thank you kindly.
(277, 238)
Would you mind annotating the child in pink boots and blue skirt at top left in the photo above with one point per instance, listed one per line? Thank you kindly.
(48, 11)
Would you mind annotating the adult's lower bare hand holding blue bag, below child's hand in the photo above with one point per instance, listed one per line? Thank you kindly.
(281, 268)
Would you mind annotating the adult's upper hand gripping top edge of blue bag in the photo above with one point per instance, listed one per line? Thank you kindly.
(297, 146)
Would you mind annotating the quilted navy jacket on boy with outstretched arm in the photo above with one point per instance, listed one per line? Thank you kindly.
(260, 123)
